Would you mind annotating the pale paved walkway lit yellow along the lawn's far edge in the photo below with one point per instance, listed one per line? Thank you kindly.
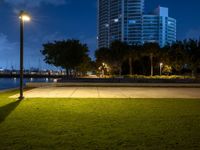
(111, 92)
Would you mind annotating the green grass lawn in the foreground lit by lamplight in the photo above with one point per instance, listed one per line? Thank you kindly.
(67, 124)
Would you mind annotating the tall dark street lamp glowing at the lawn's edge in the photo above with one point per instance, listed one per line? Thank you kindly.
(24, 17)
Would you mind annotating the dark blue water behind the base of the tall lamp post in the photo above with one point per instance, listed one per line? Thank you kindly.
(8, 83)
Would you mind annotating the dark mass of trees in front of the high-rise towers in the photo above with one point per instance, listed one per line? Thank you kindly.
(146, 59)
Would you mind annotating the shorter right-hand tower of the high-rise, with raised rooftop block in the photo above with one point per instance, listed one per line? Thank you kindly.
(159, 27)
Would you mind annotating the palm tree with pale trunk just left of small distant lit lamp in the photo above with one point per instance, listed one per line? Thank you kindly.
(151, 50)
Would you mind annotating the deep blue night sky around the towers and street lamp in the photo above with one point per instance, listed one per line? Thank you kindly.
(63, 19)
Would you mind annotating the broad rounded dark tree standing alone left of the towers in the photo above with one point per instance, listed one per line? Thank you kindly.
(67, 54)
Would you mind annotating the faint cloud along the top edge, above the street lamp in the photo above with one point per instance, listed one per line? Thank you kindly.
(36, 3)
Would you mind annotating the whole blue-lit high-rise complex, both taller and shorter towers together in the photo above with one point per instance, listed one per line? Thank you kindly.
(125, 20)
